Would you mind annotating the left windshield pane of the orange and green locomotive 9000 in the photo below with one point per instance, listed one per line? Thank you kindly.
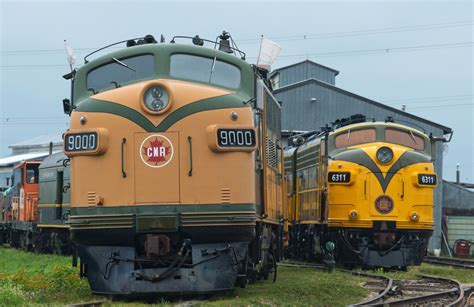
(138, 67)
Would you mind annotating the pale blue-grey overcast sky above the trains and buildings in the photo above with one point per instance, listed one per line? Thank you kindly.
(417, 53)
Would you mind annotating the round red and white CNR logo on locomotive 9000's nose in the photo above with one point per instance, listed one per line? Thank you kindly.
(156, 151)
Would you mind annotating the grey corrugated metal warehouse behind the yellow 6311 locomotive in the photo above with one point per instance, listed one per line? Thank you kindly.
(310, 99)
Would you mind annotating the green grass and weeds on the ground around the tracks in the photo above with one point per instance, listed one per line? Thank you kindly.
(29, 279)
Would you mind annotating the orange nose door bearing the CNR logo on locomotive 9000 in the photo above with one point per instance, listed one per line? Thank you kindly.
(156, 167)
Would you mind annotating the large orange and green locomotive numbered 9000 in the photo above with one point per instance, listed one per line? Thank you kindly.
(176, 168)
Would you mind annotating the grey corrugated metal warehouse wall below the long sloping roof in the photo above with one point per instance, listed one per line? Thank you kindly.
(299, 113)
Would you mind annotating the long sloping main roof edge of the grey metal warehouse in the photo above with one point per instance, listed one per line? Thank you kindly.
(445, 129)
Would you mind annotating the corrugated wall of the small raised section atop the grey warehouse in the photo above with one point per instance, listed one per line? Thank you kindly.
(306, 70)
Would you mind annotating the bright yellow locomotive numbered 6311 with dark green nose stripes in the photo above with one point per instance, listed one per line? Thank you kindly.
(365, 187)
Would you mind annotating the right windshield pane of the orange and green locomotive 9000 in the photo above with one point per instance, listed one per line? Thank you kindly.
(202, 69)
